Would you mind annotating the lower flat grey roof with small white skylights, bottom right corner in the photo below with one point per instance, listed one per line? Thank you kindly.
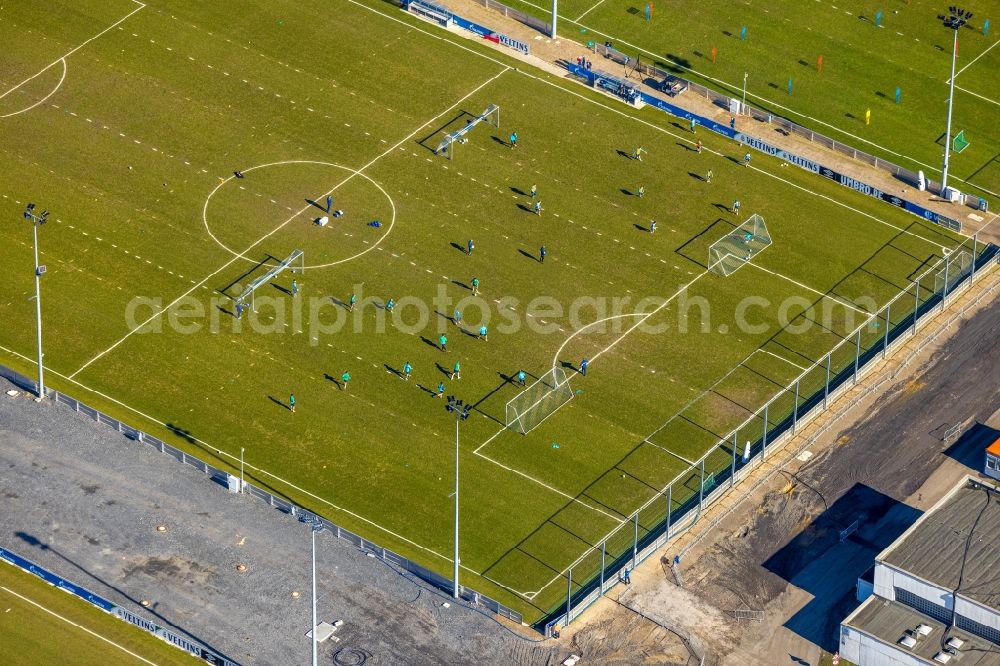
(890, 621)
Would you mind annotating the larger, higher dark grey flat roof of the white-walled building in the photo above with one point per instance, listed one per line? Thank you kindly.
(958, 540)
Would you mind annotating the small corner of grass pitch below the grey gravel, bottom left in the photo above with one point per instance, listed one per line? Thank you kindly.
(43, 625)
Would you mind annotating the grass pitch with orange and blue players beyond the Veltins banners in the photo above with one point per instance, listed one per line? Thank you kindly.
(862, 67)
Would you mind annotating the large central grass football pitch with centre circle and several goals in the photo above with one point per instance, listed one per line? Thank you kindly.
(151, 236)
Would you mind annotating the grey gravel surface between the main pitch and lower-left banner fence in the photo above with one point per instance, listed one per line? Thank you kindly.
(84, 502)
